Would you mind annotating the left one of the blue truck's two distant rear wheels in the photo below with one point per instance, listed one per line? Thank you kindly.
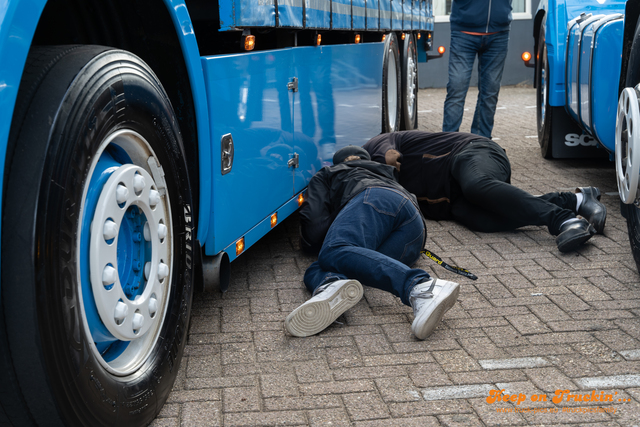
(391, 85)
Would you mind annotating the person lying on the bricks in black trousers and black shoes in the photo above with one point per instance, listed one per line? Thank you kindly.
(465, 177)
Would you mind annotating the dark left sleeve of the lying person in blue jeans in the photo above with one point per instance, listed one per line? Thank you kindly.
(316, 213)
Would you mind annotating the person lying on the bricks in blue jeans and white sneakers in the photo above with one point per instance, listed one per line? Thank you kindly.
(367, 228)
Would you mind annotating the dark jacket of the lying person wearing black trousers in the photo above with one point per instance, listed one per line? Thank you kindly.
(426, 163)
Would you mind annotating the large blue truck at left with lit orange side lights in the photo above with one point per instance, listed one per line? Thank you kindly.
(145, 145)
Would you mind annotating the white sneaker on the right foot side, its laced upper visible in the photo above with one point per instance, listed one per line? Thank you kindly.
(430, 305)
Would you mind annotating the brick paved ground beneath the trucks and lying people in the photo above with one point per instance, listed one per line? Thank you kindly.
(535, 321)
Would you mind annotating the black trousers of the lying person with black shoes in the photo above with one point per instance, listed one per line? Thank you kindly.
(483, 171)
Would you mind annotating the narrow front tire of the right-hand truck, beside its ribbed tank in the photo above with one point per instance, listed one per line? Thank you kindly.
(543, 109)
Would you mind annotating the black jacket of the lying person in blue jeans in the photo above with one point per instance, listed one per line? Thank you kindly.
(331, 189)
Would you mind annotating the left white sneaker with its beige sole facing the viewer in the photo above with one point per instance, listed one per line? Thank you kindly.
(323, 308)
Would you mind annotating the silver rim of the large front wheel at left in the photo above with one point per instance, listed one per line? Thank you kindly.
(136, 321)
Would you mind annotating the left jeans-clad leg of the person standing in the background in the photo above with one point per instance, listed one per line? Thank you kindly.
(462, 53)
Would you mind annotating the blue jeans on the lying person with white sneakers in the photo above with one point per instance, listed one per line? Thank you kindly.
(375, 239)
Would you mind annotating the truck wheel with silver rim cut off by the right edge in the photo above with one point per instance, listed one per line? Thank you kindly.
(626, 133)
